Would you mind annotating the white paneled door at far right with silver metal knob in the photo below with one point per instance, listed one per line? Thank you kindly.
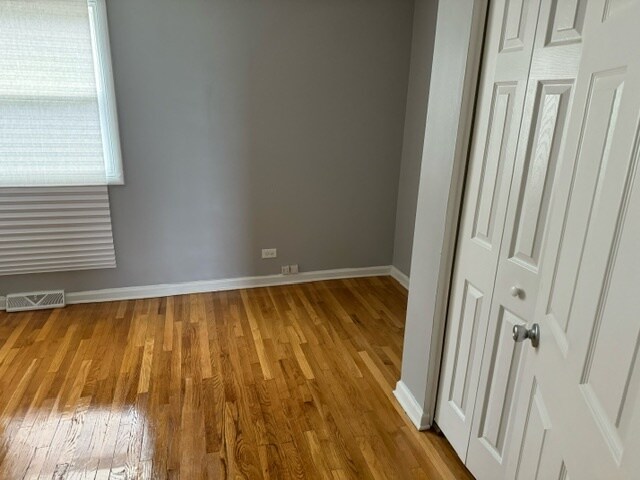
(578, 411)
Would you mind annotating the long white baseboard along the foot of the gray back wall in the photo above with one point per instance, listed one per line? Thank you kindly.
(154, 291)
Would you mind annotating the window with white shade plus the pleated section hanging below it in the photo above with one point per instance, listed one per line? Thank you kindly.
(59, 143)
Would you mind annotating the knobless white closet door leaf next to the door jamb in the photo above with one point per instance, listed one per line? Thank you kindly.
(508, 50)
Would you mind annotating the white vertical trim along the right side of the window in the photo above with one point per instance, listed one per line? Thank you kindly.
(106, 91)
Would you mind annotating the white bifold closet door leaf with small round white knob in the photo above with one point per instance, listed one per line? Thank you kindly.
(549, 97)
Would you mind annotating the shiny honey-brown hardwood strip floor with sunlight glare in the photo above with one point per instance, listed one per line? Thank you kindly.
(282, 382)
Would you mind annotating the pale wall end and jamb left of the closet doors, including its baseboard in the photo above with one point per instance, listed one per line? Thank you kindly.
(460, 31)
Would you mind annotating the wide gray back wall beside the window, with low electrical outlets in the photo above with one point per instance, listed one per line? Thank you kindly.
(248, 124)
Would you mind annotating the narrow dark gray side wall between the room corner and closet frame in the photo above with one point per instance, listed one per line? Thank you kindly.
(424, 24)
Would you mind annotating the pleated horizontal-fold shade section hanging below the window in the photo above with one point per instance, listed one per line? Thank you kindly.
(55, 229)
